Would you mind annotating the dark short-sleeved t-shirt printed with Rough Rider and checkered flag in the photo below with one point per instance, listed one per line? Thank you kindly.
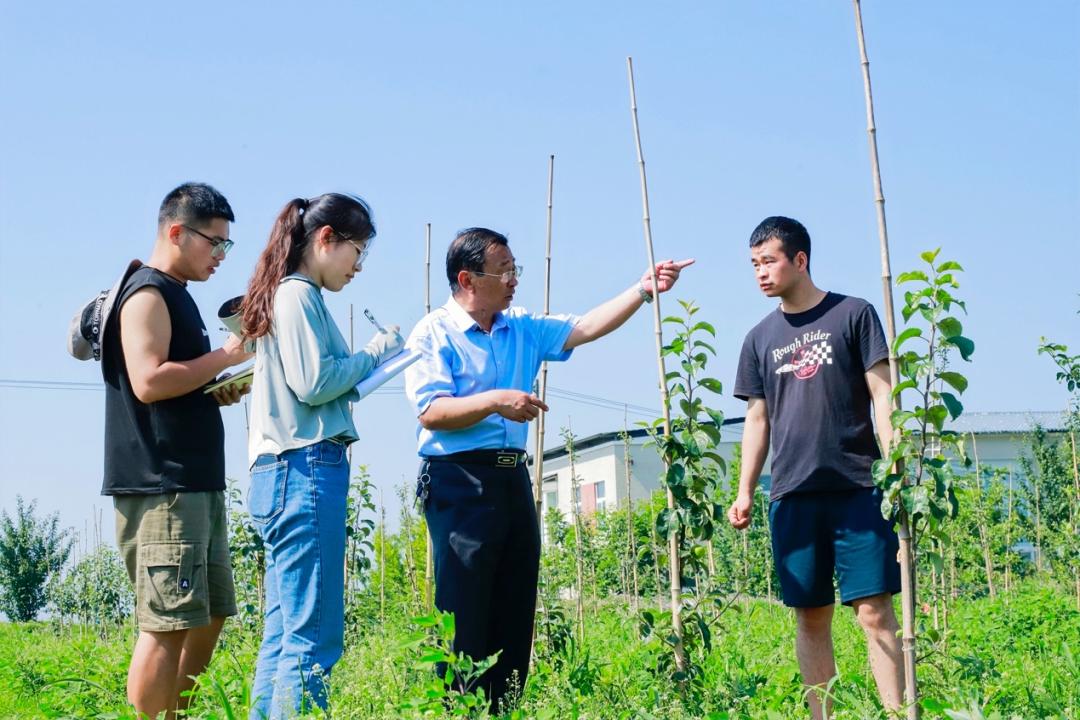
(809, 368)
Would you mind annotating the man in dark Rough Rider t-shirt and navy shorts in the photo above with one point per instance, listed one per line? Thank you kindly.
(809, 373)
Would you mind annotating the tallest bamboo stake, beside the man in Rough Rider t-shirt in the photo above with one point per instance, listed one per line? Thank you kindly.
(904, 525)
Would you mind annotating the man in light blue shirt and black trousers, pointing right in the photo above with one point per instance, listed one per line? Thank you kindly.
(471, 392)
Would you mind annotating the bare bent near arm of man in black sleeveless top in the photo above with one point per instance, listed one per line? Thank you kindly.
(145, 336)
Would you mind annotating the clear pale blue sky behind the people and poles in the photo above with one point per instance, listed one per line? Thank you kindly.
(448, 113)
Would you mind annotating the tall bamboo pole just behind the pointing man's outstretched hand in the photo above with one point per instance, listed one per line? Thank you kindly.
(673, 541)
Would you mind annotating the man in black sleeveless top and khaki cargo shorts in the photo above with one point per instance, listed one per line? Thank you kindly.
(165, 451)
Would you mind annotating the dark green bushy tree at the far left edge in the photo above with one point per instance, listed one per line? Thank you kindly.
(31, 552)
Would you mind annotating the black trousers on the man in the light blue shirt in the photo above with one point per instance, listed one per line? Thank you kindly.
(487, 544)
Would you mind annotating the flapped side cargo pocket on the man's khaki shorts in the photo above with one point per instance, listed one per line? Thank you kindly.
(173, 578)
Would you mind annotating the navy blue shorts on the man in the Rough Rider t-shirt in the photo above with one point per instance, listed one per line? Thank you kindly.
(817, 534)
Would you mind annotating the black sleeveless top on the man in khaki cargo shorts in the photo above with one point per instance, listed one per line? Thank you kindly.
(177, 445)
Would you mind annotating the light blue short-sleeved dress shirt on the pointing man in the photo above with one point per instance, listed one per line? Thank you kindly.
(458, 359)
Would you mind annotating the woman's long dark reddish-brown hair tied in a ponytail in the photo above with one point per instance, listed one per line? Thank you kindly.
(347, 215)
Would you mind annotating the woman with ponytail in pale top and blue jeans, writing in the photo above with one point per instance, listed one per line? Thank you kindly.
(301, 427)
